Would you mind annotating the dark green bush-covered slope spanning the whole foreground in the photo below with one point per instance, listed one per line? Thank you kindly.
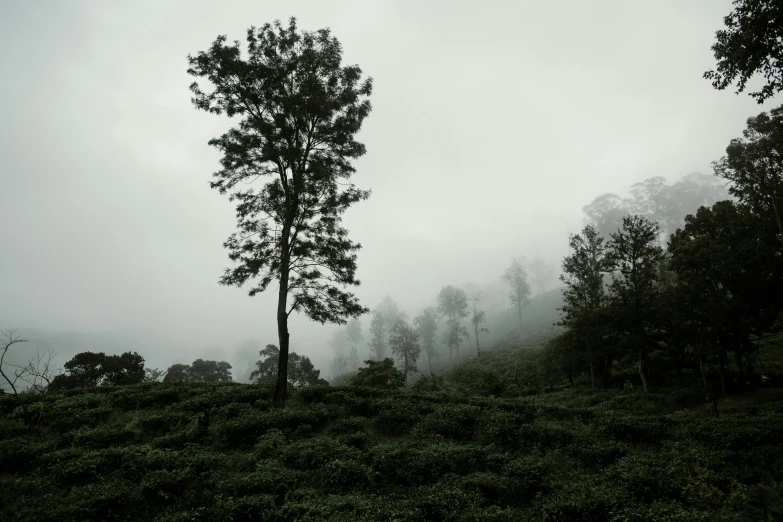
(145, 452)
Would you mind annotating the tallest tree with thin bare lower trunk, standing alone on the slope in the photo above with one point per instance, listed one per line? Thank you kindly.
(298, 112)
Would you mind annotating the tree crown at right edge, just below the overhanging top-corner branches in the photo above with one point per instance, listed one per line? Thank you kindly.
(754, 164)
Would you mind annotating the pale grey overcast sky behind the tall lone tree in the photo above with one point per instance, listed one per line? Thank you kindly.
(493, 123)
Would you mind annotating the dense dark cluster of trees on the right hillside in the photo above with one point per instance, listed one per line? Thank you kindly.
(704, 300)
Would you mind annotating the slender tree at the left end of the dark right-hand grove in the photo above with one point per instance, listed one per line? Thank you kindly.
(583, 295)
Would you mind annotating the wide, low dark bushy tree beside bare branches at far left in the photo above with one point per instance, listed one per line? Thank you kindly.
(98, 369)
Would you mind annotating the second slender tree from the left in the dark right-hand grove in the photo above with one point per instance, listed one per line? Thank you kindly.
(634, 258)
